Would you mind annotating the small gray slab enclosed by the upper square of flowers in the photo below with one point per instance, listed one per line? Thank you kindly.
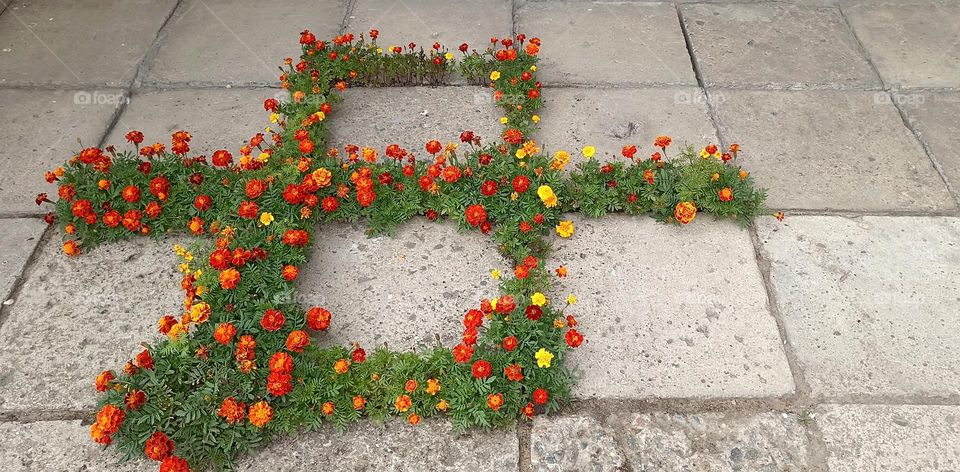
(378, 117)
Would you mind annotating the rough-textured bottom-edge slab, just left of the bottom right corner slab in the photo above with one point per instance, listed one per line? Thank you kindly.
(664, 441)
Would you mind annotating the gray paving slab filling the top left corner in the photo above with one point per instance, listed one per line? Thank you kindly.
(57, 42)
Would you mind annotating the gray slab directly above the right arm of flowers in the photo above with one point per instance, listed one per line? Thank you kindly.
(609, 119)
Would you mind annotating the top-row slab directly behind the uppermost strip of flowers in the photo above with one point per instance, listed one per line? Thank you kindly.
(425, 22)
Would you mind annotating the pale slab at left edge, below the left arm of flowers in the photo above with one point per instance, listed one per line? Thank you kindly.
(77, 317)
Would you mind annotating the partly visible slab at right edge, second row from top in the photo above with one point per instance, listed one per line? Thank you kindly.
(934, 117)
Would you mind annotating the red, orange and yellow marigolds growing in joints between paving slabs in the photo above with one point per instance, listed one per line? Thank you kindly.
(240, 363)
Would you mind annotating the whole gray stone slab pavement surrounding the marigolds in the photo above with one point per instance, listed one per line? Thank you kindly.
(829, 341)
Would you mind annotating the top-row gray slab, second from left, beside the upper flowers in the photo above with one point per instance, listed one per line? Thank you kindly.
(239, 42)
